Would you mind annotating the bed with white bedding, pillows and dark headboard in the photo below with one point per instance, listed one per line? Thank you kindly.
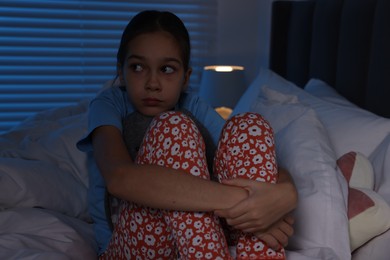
(325, 94)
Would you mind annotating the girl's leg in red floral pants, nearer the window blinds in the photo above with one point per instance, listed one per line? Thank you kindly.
(174, 141)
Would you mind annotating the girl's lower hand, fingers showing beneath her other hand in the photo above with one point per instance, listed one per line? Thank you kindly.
(277, 235)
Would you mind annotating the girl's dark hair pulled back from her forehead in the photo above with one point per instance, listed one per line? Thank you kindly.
(153, 21)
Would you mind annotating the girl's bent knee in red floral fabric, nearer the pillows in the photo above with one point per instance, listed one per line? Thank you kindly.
(247, 149)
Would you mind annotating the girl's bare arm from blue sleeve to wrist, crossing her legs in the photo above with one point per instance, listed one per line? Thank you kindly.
(156, 186)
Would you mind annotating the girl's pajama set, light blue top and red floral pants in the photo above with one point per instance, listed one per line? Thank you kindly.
(176, 139)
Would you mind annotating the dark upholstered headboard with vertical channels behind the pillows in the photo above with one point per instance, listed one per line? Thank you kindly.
(345, 43)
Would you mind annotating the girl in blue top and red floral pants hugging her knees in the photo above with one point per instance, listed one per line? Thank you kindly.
(169, 206)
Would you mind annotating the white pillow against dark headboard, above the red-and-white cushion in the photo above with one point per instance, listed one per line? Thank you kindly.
(349, 127)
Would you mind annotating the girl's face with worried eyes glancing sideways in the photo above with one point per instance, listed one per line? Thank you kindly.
(153, 73)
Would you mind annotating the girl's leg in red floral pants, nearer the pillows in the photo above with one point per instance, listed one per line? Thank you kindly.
(246, 150)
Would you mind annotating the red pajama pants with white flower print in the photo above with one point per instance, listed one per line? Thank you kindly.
(245, 150)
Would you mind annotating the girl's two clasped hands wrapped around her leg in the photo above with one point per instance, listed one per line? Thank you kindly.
(266, 211)
